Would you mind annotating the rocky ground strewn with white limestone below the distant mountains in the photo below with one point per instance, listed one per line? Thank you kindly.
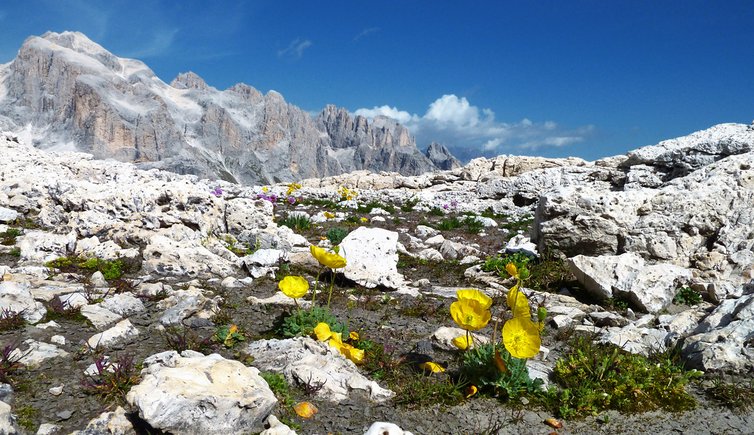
(123, 343)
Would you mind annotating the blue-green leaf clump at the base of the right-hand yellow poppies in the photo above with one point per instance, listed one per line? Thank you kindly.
(495, 372)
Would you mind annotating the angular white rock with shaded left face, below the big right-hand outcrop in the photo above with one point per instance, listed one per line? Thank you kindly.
(649, 287)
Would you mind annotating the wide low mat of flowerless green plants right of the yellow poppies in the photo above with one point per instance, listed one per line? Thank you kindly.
(597, 377)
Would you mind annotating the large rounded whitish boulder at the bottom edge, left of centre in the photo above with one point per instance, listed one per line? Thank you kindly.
(193, 393)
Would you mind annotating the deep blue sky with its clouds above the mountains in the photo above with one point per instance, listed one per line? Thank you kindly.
(551, 78)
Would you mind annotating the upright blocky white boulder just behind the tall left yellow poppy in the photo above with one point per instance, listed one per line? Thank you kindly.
(372, 257)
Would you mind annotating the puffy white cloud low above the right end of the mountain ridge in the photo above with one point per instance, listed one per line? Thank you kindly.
(469, 131)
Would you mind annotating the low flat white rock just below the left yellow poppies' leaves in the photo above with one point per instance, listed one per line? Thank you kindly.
(302, 358)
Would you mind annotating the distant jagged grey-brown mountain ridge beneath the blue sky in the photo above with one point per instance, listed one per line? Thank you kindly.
(68, 92)
